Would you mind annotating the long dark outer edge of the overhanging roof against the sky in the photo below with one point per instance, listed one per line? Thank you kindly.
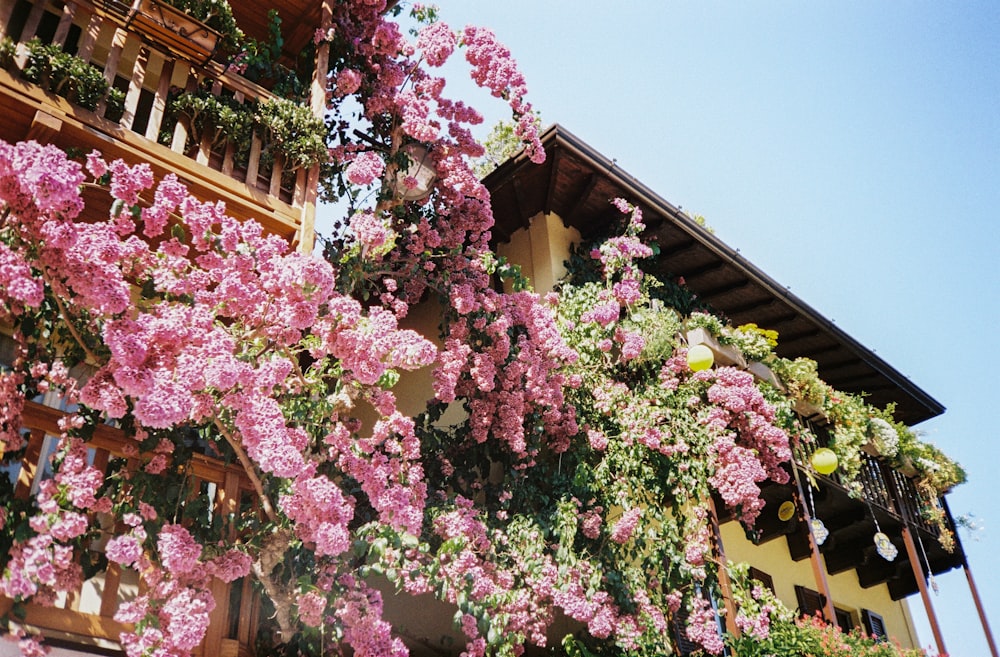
(556, 134)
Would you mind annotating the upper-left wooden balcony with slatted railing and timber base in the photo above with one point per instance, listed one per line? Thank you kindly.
(147, 69)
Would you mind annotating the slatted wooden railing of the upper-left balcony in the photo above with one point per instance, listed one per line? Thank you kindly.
(148, 73)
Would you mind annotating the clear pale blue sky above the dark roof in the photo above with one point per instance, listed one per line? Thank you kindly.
(850, 149)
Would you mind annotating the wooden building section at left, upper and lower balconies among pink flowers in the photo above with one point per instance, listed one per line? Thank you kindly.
(143, 55)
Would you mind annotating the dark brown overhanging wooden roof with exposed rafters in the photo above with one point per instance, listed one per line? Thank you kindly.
(576, 183)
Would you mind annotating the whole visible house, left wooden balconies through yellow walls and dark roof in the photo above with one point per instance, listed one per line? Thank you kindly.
(540, 211)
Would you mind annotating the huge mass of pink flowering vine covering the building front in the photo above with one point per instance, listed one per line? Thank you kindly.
(556, 461)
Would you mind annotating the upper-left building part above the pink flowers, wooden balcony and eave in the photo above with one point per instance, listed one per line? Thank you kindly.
(145, 54)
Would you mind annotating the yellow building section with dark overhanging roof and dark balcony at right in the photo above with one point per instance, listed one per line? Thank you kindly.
(542, 209)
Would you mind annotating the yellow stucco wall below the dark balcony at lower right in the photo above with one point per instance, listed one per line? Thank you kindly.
(773, 558)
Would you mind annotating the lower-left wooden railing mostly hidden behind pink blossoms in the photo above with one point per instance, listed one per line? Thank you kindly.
(86, 615)
